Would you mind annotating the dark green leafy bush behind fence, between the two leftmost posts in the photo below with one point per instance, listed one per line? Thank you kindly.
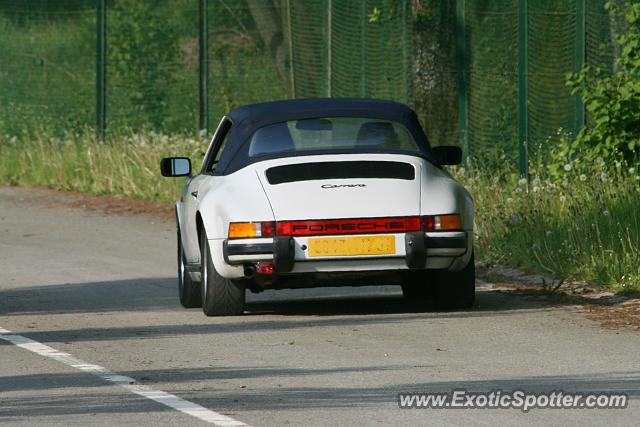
(141, 49)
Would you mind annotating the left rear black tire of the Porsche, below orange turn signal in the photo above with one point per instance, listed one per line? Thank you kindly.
(220, 296)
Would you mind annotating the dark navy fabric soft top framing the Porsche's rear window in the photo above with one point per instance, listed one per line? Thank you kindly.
(247, 119)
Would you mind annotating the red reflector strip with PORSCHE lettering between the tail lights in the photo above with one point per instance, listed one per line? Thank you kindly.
(348, 226)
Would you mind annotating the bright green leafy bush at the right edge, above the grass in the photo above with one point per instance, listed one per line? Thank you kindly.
(612, 100)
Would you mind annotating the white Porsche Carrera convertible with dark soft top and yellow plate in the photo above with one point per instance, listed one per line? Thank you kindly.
(322, 192)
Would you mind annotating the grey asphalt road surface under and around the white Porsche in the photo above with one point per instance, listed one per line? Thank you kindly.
(102, 289)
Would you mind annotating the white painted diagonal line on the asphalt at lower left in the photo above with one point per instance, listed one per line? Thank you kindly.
(167, 399)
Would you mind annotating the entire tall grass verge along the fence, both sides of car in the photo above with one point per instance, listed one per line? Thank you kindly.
(583, 226)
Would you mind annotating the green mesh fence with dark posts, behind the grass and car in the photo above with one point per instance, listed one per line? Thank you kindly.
(487, 74)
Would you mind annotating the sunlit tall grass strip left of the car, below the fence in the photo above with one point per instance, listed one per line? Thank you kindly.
(125, 165)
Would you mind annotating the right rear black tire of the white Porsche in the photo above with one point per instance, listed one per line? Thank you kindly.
(455, 289)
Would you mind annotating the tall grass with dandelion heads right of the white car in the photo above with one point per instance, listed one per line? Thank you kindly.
(577, 227)
